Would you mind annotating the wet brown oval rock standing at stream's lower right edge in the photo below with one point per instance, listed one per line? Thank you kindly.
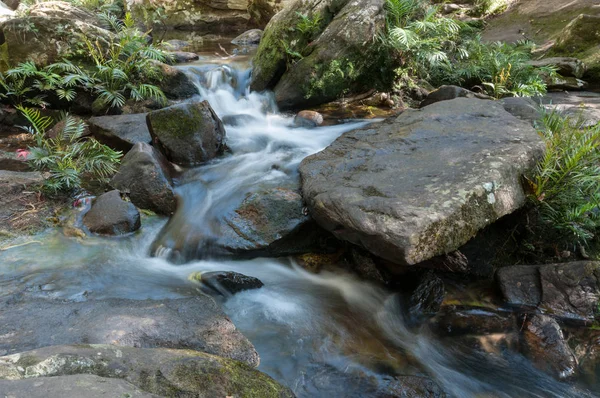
(544, 344)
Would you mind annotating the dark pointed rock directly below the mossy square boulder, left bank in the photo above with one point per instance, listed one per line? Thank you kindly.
(146, 176)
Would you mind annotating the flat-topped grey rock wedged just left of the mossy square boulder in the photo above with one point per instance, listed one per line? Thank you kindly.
(120, 132)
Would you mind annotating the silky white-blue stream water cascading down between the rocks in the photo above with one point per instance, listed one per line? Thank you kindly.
(322, 335)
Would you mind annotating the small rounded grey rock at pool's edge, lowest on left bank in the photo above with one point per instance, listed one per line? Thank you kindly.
(111, 215)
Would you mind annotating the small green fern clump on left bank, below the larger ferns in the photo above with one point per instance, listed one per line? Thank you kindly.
(67, 156)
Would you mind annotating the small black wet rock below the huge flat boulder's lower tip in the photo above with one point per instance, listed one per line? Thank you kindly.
(427, 298)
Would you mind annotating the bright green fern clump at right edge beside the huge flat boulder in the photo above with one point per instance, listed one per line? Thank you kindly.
(567, 184)
